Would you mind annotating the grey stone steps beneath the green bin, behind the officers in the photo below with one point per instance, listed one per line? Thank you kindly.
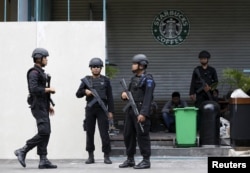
(163, 144)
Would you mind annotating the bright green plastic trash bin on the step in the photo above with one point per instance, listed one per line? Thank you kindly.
(186, 131)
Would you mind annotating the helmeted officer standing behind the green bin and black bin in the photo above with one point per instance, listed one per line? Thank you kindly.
(204, 80)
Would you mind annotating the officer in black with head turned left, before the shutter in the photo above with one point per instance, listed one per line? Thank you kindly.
(142, 88)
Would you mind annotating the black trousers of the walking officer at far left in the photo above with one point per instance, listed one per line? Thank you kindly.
(41, 139)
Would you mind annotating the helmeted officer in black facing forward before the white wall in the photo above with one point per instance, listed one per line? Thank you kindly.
(95, 112)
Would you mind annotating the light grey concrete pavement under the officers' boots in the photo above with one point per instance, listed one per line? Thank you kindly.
(158, 164)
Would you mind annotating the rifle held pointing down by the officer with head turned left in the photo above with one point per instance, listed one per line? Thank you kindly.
(131, 101)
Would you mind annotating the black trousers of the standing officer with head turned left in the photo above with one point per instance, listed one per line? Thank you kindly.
(132, 134)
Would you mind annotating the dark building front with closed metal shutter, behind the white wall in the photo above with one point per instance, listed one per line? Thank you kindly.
(171, 33)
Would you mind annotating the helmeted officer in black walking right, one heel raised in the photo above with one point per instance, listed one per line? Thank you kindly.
(41, 108)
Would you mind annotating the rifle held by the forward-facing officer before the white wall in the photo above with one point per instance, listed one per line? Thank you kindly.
(96, 97)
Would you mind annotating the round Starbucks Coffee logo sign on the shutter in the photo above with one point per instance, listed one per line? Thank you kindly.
(170, 27)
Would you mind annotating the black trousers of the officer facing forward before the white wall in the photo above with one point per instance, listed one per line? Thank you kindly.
(93, 114)
